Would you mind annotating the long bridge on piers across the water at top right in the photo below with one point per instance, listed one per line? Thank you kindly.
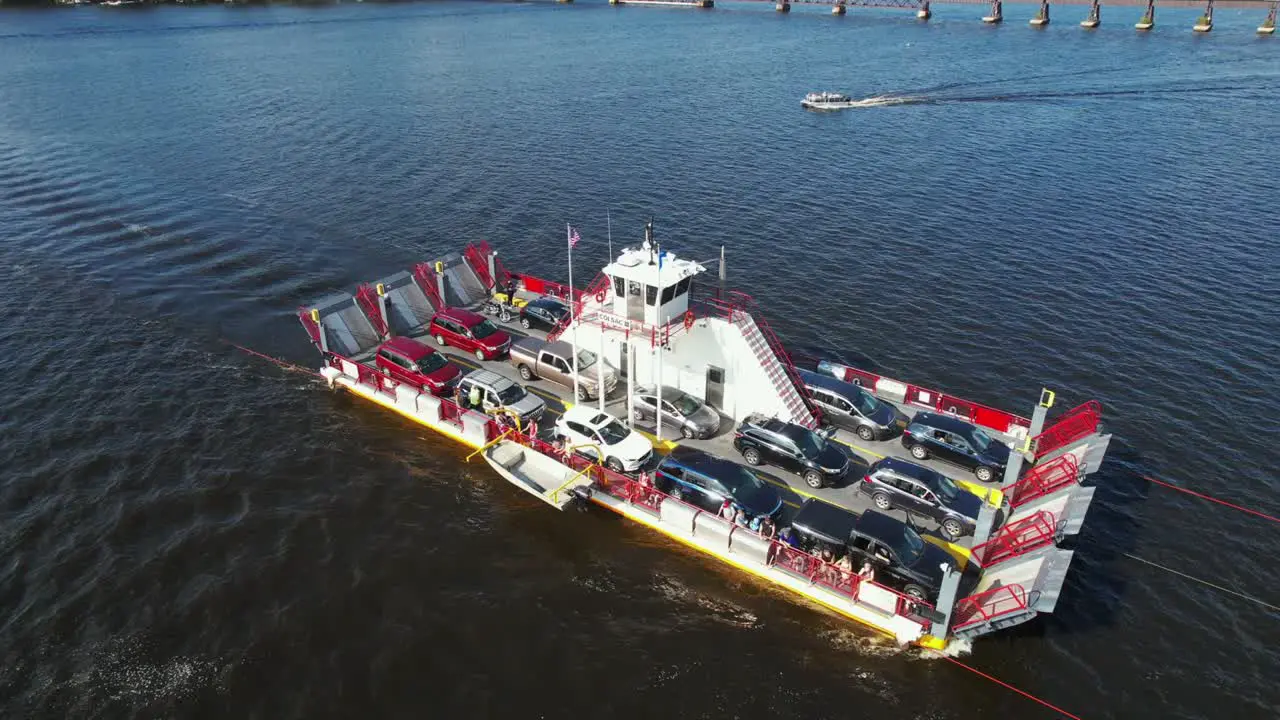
(996, 13)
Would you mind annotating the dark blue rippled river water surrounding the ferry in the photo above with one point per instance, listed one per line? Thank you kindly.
(186, 532)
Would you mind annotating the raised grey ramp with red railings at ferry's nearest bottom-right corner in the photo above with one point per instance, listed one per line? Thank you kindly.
(1013, 593)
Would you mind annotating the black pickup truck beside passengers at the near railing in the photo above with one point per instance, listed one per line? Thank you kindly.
(902, 558)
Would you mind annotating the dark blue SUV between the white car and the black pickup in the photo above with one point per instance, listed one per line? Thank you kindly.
(707, 481)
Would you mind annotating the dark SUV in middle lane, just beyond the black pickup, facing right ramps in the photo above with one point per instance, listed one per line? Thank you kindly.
(898, 484)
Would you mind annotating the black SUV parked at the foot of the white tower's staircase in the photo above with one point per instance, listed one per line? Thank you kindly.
(794, 448)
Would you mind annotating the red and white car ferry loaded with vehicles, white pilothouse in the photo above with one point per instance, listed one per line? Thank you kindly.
(734, 423)
